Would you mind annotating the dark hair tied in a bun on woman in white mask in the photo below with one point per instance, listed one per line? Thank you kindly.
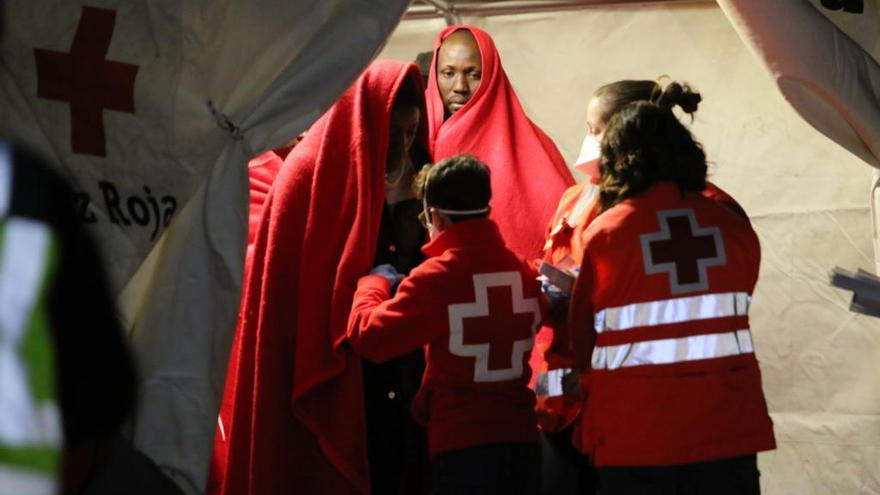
(618, 94)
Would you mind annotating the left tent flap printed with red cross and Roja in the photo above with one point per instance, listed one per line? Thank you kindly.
(186, 93)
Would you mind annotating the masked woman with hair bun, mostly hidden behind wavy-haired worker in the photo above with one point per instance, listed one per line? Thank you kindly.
(555, 377)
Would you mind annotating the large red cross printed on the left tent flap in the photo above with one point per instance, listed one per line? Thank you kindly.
(87, 81)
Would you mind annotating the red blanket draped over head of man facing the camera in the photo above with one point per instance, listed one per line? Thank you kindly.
(528, 173)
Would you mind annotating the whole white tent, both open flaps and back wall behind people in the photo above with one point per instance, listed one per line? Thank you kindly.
(269, 68)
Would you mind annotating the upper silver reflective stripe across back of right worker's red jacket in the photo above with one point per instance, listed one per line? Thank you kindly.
(677, 310)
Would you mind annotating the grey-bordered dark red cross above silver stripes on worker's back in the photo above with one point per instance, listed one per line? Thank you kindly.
(683, 249)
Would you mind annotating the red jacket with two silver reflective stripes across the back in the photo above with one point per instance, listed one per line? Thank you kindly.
(660, 309)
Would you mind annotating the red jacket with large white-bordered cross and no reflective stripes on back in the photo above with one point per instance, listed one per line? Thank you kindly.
(475, 306)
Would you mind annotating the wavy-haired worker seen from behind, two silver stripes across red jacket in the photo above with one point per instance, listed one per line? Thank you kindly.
(659, 315)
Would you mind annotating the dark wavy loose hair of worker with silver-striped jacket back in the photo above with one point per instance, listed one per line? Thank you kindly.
(643, 144)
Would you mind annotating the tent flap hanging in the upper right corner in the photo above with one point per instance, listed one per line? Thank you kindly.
(837, 88)
